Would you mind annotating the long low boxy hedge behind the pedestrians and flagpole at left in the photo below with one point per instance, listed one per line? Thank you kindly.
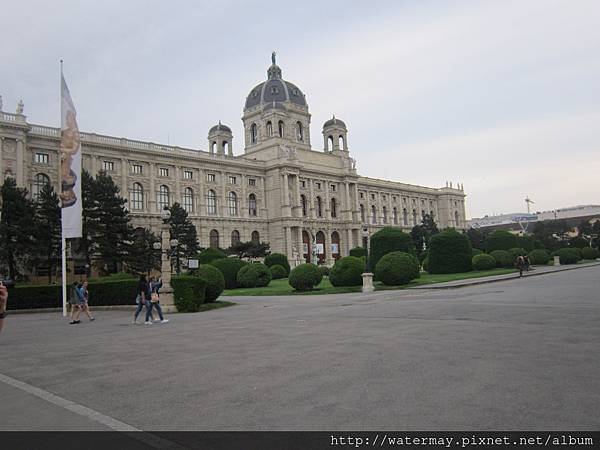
(102, 293)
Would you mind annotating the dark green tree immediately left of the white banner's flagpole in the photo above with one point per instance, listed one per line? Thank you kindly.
(48, 228)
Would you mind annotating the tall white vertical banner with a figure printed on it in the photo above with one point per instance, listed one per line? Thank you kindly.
(70, 166)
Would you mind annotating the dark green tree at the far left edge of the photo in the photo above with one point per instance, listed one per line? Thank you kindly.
(16, 227)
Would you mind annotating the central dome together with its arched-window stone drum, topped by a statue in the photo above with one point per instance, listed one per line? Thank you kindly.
(276, 113)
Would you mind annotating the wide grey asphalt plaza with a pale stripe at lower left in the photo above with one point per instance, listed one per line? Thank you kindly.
(518, 354)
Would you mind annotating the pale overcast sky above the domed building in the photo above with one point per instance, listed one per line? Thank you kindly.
(501, 96)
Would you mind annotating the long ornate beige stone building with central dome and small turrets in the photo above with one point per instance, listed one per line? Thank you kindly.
(280, 190)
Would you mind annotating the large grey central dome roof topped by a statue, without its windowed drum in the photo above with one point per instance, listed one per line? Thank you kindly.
(275, 89)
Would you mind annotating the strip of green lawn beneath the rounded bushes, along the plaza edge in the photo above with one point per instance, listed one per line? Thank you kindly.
(282, 287)
